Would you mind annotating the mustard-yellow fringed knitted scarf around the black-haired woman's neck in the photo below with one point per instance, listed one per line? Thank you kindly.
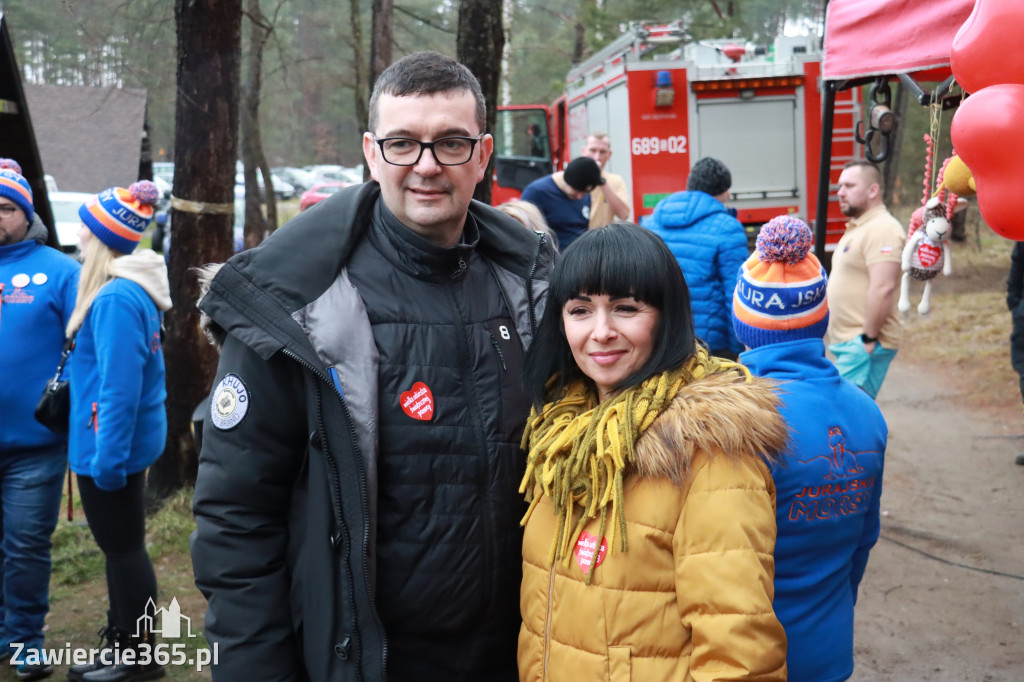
(578, 450)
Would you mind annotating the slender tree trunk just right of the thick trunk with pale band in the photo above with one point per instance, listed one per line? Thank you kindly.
(253, 159)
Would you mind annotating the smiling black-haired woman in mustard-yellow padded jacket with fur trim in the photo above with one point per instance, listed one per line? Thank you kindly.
(649, 543)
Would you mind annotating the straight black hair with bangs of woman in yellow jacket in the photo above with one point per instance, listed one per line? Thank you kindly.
(622, 260)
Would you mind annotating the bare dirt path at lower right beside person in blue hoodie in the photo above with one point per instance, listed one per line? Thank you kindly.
(952, 491)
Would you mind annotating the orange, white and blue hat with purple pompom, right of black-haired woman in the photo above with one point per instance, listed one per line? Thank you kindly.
(781, 290)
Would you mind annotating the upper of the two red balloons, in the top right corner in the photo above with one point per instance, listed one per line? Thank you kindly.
(988, 51)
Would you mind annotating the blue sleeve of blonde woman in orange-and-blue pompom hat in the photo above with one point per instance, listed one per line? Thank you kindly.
(122, 351)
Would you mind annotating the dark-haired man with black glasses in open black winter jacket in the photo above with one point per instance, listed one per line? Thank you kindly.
(357, 507)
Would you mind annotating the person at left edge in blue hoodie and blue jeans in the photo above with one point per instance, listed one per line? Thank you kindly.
(37, 295)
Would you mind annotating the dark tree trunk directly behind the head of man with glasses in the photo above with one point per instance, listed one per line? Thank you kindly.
(479, 46)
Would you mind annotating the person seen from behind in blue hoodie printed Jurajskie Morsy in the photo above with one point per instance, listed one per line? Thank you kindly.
(829, 485)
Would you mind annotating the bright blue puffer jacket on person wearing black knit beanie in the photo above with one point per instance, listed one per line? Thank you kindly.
(710, 246)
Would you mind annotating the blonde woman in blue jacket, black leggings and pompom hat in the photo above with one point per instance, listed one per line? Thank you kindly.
(118, 420)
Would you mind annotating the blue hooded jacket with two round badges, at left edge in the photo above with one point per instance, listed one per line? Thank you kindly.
(39, 285)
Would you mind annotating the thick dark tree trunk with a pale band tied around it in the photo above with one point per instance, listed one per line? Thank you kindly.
(205, 149)
